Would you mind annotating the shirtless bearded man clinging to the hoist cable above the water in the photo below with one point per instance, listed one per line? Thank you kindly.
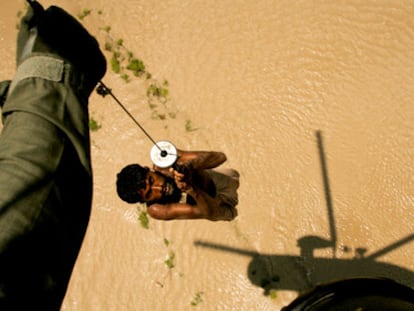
(192, 188)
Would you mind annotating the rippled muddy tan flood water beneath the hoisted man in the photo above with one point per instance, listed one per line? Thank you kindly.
(312, 102)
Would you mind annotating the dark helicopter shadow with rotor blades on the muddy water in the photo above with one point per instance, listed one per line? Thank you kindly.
(303, 272)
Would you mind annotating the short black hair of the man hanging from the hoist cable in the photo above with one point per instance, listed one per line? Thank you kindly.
(129, 181)
